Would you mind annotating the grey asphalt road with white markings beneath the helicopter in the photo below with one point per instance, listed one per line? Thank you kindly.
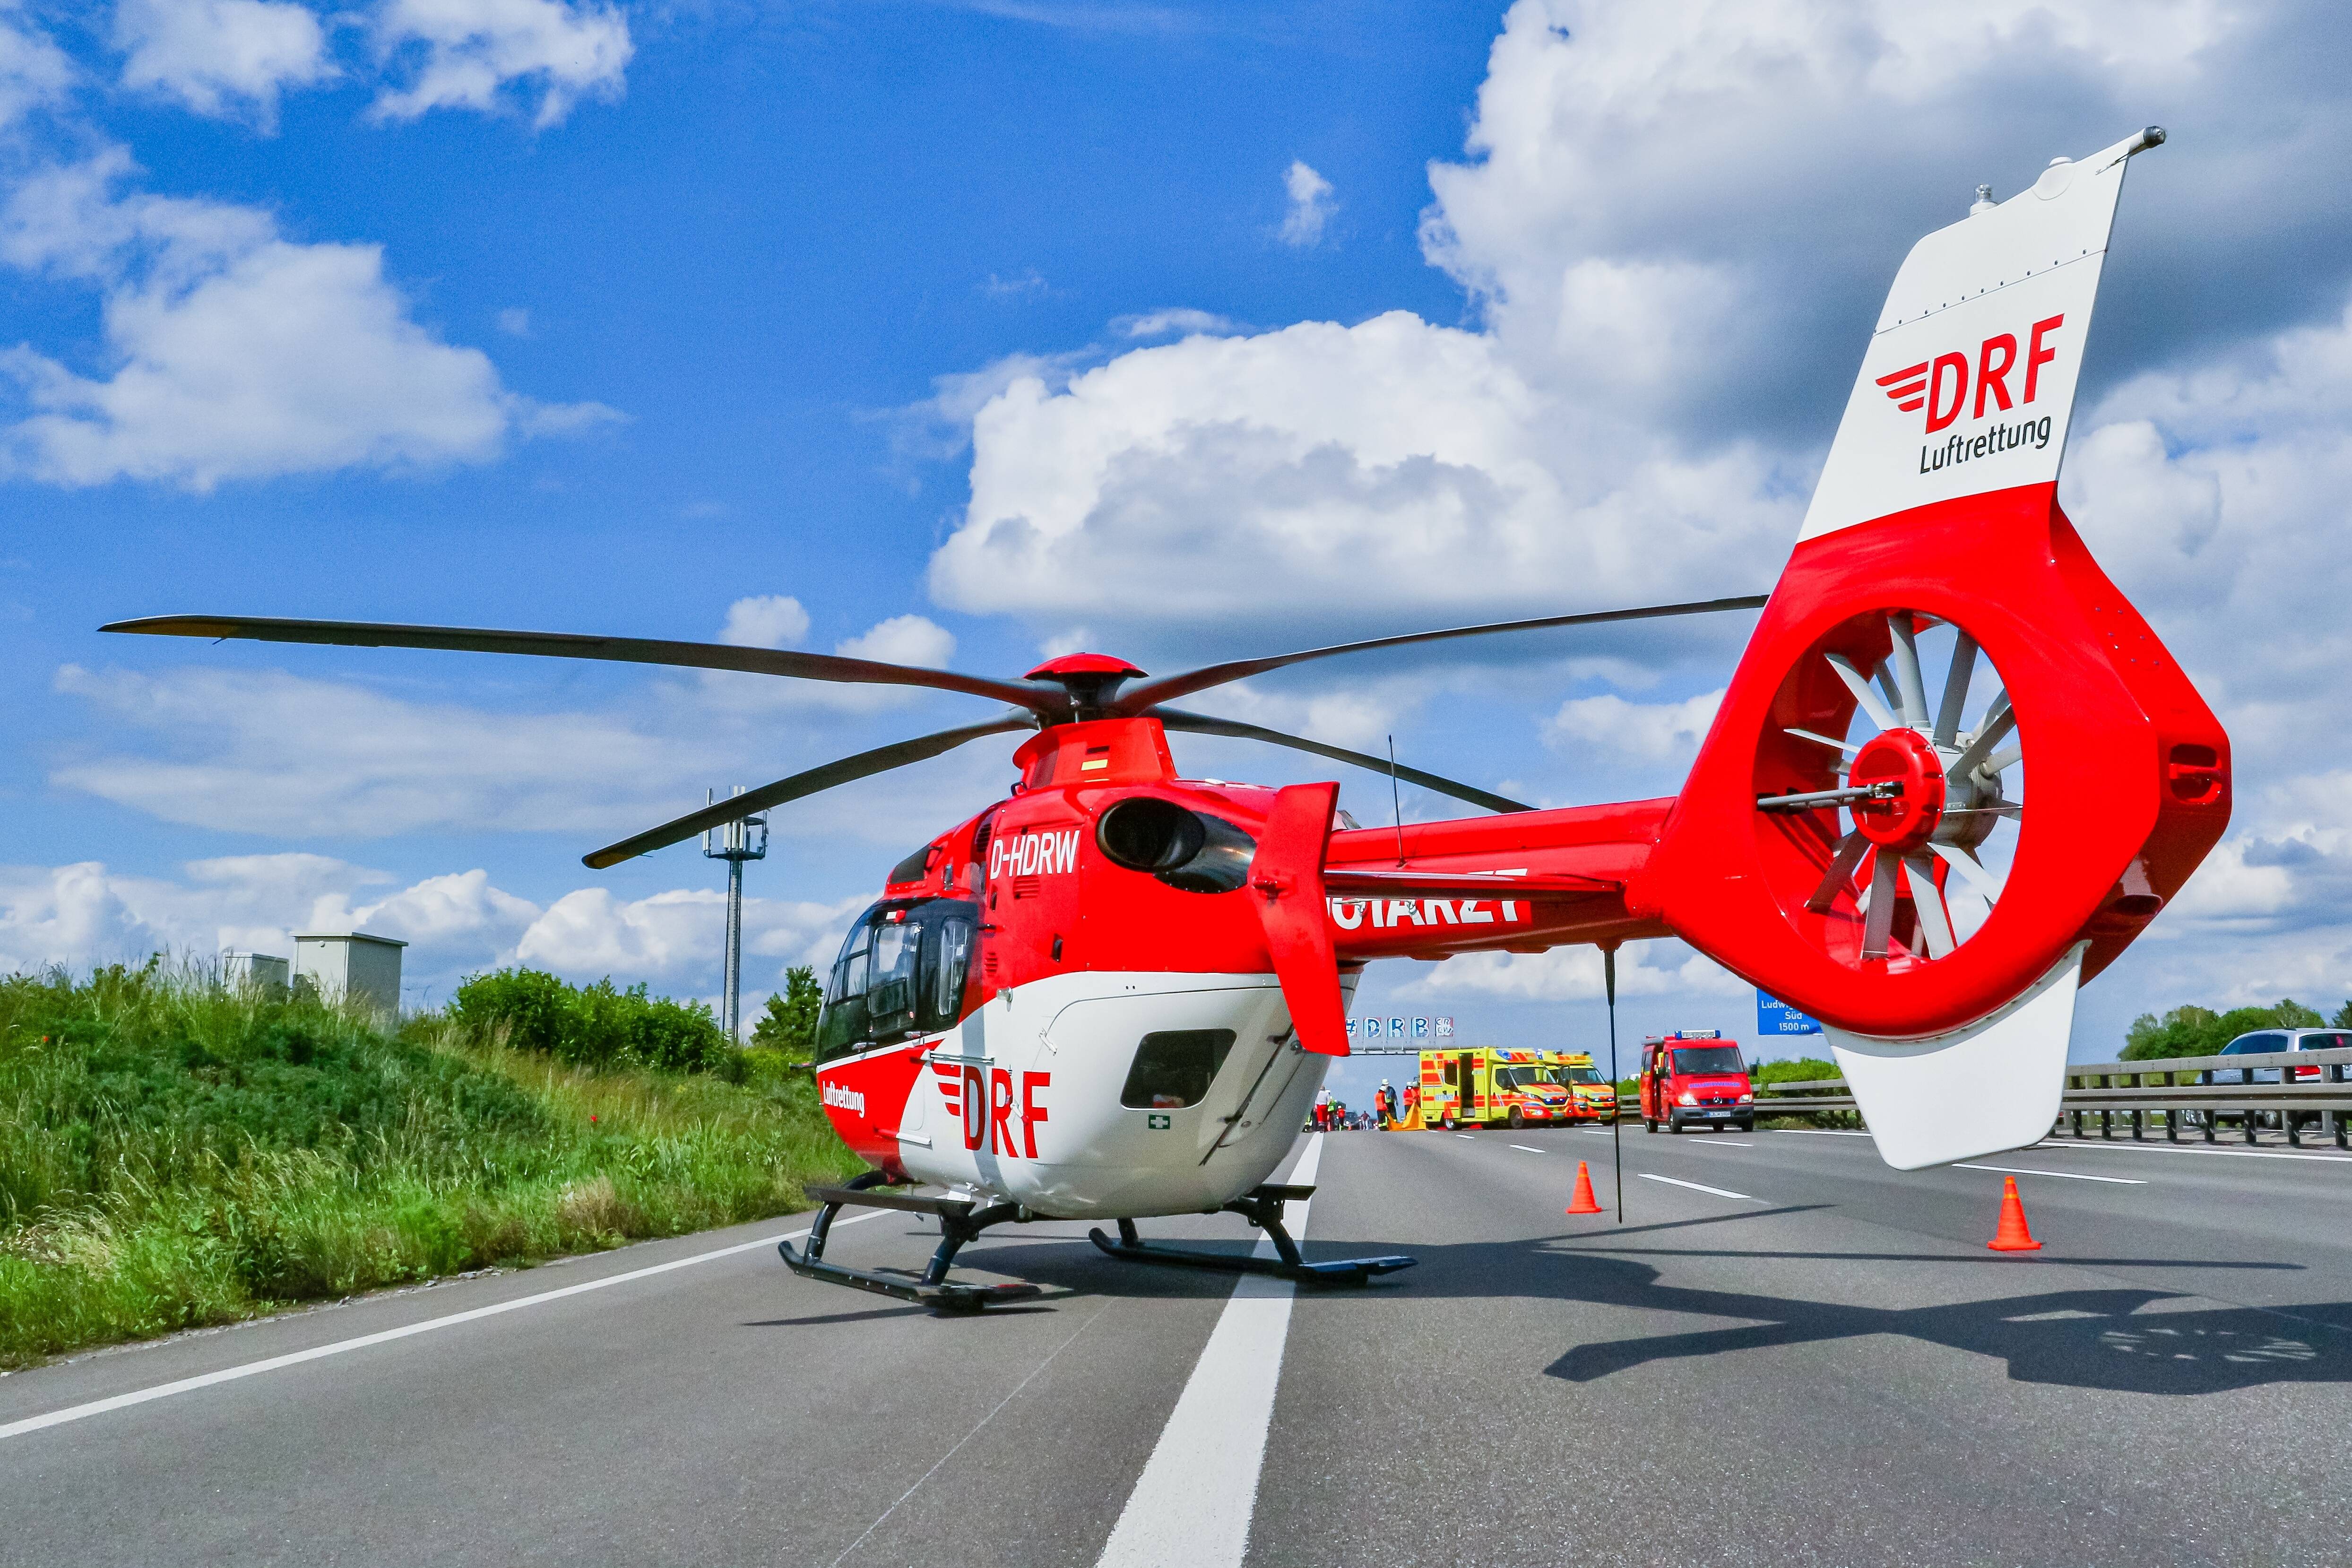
(1784, 1355)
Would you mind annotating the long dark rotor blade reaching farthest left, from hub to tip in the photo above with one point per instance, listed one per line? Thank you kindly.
(570, 645)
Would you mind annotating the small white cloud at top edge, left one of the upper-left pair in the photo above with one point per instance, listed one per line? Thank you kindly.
(222, 58)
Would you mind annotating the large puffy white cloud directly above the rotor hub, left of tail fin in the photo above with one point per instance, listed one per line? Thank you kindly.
(1389, 469)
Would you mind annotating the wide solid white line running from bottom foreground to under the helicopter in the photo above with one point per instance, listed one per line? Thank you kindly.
(1194, 1501)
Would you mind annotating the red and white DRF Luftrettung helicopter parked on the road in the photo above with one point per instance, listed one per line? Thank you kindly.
(1114, 993)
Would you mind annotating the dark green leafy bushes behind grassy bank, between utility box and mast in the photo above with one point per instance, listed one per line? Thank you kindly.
(596, 1026)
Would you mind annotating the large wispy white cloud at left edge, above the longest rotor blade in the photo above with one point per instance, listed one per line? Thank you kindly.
(236, 354)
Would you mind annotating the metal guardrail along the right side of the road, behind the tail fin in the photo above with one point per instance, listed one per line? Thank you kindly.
(2181, 1090)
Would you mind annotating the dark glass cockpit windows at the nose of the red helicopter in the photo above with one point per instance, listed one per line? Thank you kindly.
(902, 972)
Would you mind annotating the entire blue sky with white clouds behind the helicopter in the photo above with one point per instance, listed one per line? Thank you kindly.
(961, 333)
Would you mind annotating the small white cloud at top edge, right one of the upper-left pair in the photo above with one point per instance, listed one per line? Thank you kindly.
(469, 53)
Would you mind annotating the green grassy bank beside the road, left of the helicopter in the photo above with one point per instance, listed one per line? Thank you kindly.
(175, 1155)
